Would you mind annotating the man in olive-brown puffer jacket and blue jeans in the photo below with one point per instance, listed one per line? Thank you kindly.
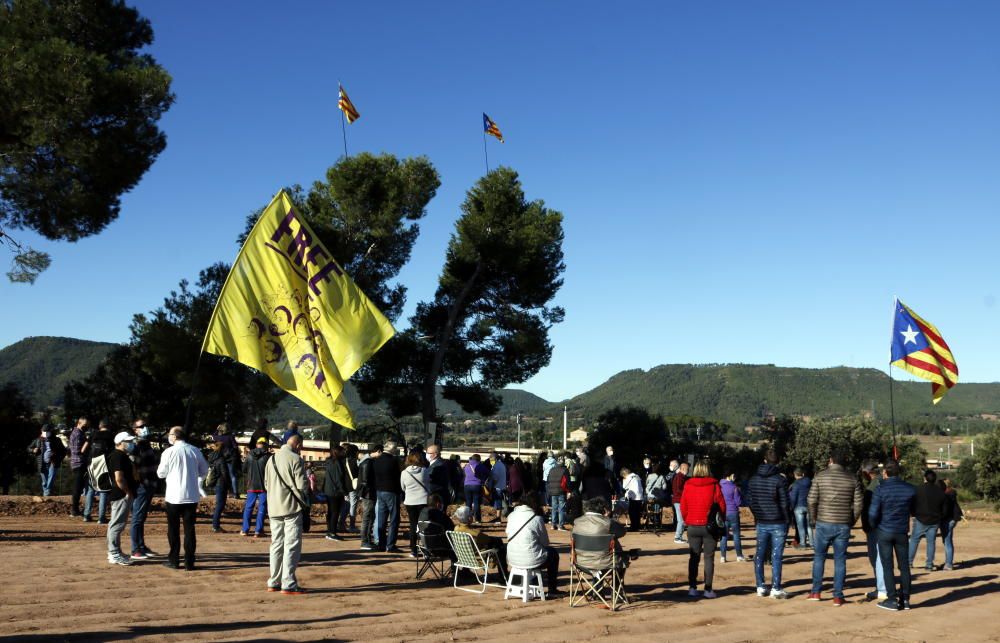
(835, 502)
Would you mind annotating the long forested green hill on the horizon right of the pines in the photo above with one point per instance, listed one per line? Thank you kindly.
(742, 394)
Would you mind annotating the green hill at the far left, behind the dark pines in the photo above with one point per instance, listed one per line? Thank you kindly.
(42, 366)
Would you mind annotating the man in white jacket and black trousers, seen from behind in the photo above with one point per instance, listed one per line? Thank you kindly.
(181, 465)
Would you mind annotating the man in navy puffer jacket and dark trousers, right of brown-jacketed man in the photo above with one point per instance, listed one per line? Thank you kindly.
(892, 505)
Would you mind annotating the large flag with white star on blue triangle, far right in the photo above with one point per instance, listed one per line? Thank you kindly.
(918, 348)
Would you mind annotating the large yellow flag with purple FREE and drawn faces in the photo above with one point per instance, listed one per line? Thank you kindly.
(288, 310)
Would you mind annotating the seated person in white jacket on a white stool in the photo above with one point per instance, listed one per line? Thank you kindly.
(528, 542)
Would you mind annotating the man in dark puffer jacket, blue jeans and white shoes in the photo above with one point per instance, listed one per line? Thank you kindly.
(769, 503)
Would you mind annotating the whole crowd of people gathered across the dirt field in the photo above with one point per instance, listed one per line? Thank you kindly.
(596, 497)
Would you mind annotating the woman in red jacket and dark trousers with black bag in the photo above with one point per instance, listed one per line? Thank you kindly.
(700, 491)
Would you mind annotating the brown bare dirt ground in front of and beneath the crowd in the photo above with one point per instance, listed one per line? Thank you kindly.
(58, 586)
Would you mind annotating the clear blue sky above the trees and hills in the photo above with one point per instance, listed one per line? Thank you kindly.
(741, 182)
